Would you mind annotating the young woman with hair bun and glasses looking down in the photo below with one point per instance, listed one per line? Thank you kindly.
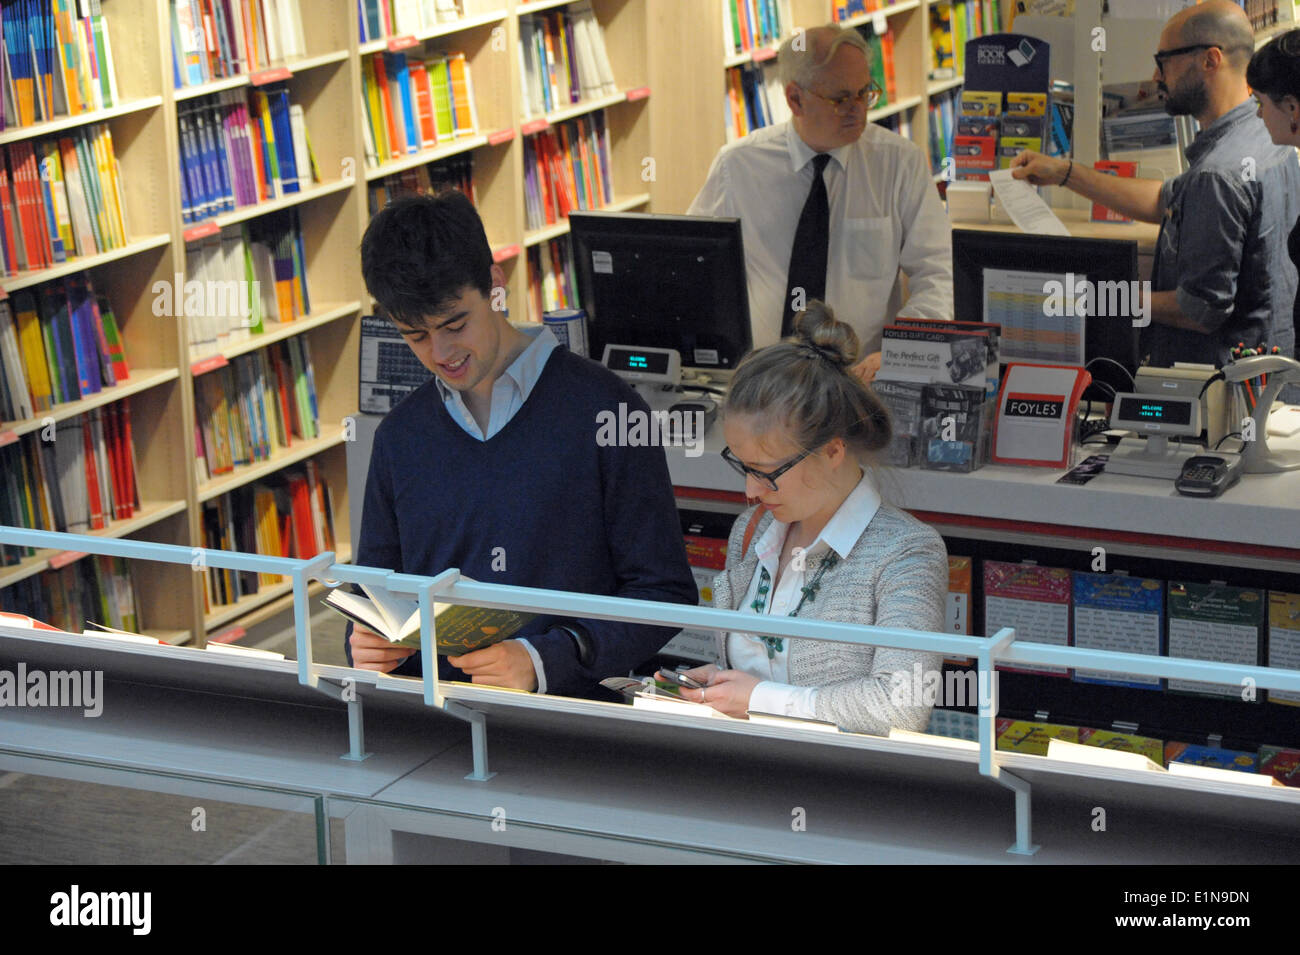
(820, 544)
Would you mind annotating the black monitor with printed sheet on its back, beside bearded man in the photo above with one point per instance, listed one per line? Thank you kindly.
(1032, 285)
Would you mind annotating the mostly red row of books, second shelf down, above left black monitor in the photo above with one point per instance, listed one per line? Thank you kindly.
(567, 168)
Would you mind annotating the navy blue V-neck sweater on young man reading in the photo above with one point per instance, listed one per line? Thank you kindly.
(565, 513)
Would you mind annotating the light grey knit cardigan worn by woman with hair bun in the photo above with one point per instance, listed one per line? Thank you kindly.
(895, 576)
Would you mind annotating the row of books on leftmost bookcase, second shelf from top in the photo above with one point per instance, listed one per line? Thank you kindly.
(59, 199)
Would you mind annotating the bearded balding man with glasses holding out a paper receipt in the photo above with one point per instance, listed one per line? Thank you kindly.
(1221, 274)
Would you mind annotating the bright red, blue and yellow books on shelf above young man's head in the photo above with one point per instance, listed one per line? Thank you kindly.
(415, 102)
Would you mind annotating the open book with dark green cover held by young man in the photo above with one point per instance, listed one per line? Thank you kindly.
(460, 630)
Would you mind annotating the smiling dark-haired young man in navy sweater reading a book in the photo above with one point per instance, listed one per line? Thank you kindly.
(493, 467)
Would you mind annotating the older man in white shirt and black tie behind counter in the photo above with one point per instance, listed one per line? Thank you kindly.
(879, 211)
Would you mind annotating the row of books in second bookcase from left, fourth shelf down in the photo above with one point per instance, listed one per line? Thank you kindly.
(254, 407)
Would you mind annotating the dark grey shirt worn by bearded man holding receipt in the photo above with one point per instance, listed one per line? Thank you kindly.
(1224, 244)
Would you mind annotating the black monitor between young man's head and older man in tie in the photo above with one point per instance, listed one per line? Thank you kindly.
(664, 283)
